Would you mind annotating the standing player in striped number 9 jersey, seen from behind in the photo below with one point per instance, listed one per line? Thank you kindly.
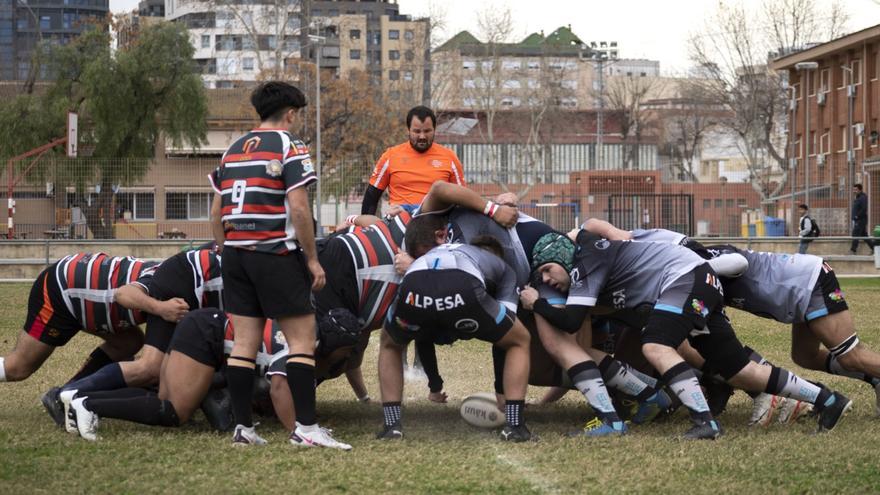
(262, 218)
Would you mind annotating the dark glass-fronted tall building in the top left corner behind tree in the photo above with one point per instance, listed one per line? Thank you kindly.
(25, 23)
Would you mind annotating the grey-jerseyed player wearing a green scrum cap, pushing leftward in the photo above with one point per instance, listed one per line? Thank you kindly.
(687, 301)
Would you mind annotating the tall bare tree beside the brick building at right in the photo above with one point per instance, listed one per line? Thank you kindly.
(732, 52)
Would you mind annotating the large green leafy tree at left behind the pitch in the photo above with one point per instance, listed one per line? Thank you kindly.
(127, 99)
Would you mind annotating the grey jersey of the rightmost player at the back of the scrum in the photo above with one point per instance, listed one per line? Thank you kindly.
(776, 286)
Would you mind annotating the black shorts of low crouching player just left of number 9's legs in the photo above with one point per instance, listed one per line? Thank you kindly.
(199, 335)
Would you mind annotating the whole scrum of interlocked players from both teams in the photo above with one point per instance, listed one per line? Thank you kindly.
(460, 268)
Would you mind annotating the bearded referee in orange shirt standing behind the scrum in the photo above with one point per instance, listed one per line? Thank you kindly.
(408, 170)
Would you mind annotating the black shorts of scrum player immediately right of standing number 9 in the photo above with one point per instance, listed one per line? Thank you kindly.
(341, 289)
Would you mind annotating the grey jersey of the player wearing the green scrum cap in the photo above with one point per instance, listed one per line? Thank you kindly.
(625, 274)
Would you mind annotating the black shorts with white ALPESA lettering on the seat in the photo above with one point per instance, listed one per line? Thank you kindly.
(444, 306)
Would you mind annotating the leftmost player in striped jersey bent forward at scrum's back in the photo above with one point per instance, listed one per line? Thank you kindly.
(78, 293)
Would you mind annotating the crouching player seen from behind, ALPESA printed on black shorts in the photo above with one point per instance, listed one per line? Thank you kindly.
(447, 295)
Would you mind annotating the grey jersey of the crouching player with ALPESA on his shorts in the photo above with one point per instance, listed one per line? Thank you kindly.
(485, 266)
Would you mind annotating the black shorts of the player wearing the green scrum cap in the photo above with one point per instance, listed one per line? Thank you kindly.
(684, 306)
